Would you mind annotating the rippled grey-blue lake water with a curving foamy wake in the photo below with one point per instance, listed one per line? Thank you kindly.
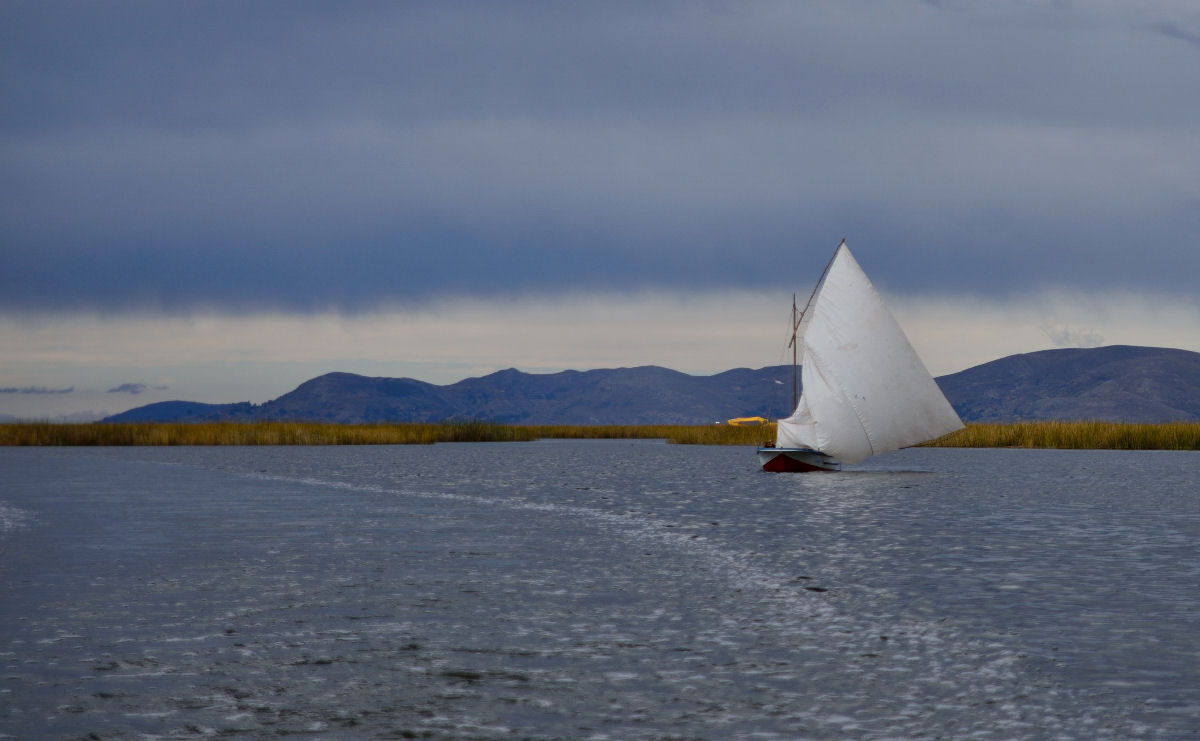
(597, 591)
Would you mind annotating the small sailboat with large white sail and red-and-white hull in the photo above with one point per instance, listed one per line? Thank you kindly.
(863, 389)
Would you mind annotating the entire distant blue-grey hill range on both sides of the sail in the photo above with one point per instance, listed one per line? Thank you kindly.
(1115, 383)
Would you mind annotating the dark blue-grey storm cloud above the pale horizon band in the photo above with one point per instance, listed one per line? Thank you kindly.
(344, 155)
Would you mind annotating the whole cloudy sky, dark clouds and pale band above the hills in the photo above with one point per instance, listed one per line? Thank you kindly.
(219, 201)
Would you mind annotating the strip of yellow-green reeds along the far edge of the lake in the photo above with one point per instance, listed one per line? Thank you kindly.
(1054, 435)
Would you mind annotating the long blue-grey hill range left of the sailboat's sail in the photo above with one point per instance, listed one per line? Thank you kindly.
(647, 395)
